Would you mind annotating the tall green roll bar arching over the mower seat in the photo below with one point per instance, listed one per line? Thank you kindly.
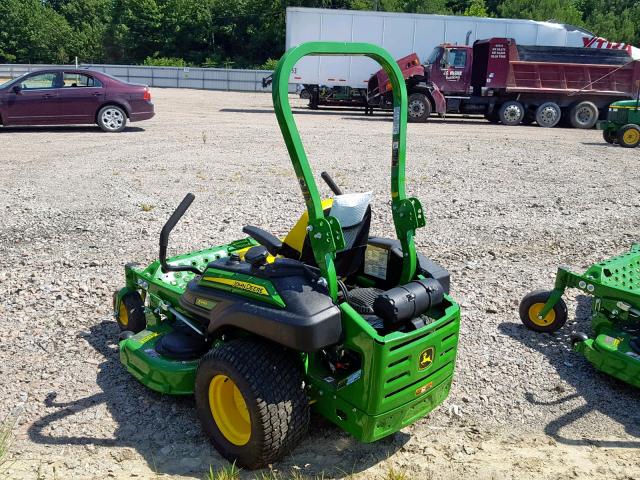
(325, 233)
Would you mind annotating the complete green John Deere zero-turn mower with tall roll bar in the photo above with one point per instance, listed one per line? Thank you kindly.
(361, 329)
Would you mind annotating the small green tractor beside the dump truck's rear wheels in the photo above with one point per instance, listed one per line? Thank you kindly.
(622, 125)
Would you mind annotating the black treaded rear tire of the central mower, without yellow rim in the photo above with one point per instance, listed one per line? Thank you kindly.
(276, 382)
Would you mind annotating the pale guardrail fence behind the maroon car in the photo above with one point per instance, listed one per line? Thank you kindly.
(171, 77)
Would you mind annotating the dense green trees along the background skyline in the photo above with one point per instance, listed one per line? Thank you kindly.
(240, 33)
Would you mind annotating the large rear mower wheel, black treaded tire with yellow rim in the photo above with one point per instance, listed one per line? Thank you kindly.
(251, 402)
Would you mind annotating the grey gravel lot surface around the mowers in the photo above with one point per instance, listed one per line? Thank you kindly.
(505, 206)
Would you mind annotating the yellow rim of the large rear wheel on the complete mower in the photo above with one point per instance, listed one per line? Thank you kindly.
(229, 410)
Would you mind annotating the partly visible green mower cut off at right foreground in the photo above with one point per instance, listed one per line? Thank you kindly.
(613, 346)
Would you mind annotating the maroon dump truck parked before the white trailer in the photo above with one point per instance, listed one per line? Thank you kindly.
(513, 84)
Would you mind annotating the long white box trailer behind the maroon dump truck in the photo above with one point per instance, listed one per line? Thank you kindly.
(405, 33)
